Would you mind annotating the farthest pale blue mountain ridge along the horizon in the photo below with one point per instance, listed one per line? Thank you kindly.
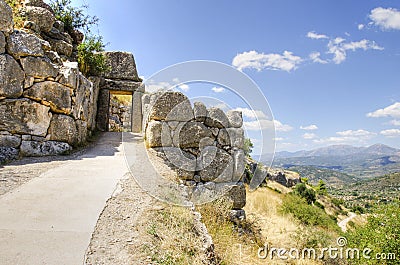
(342, 150)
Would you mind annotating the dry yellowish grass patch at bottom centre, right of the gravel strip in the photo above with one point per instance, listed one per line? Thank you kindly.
(172, 237)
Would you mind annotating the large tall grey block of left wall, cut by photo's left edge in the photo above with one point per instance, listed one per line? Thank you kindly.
(11, 77)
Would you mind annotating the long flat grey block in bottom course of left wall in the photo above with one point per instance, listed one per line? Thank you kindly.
(34, 148)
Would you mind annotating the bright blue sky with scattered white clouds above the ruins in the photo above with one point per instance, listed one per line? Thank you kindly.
(329, 69)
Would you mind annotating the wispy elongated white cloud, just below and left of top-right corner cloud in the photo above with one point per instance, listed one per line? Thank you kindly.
(338, 47)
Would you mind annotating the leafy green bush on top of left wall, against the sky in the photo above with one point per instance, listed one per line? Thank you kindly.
(73, 17)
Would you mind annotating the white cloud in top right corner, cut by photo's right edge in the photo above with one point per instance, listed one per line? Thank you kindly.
(386, 18)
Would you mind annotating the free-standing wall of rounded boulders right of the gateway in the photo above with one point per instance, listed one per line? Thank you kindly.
(203, 146)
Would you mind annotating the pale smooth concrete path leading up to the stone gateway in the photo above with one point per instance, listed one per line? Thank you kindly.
(50, 219)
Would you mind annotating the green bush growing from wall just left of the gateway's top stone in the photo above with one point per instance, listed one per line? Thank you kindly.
(90, 59)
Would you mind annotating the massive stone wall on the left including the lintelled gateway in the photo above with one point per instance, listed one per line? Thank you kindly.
(48, 107)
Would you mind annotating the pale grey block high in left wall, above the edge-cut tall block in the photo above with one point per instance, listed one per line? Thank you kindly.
(21, 44)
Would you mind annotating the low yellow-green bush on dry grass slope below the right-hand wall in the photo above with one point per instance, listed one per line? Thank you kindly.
(307, 214)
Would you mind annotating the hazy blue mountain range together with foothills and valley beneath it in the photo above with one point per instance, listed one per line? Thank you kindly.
(354, 162)
